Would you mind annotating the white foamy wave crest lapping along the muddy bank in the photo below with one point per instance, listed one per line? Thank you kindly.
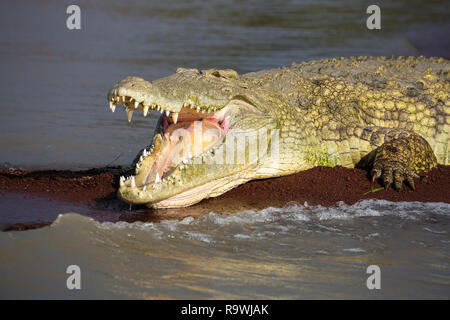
(294, 214)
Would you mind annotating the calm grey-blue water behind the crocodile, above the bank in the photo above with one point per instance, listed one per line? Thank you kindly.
(54, 82)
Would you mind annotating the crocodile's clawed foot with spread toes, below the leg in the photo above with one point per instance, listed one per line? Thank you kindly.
(393, 173)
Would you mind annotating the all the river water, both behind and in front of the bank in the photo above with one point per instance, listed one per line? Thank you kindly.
(54, 114)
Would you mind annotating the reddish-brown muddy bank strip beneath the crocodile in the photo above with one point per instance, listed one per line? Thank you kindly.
(33, 199)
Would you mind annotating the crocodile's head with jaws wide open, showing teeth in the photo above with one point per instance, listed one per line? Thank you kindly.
(204, 143)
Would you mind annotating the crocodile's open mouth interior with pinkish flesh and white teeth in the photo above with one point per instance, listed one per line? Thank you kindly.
(181, 138)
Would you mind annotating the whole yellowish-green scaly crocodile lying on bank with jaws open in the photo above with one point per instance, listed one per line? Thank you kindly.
(219, 129)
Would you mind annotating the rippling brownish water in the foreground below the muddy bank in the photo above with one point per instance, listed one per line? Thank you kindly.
(295, 252)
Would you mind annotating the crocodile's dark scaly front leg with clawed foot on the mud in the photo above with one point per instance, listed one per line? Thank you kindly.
(400, 158)
